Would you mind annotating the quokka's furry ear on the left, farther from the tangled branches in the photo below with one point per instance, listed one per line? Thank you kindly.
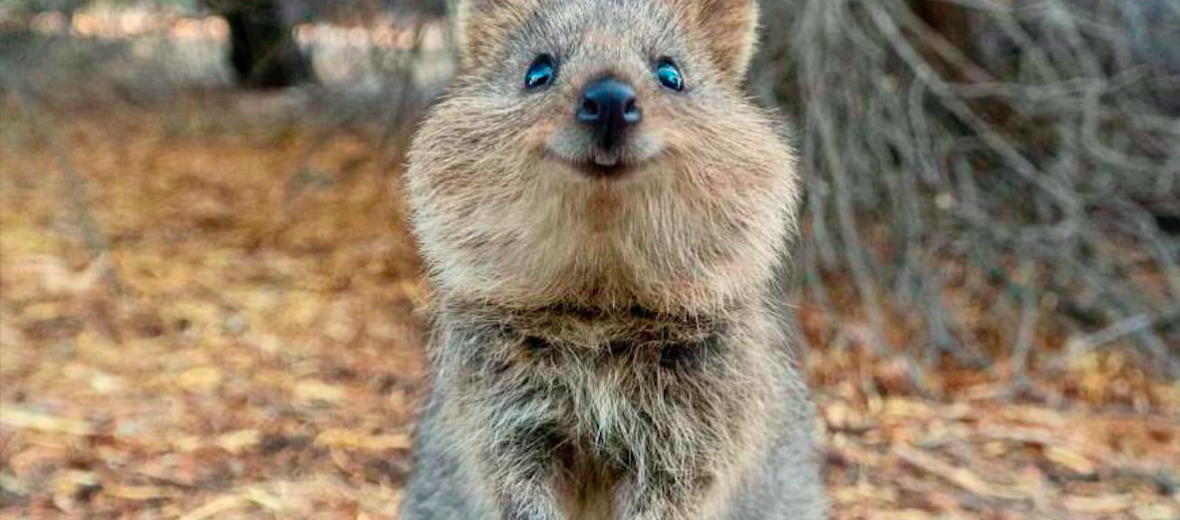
(484, 25)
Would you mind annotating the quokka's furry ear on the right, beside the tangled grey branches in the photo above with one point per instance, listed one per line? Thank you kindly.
(730, 30)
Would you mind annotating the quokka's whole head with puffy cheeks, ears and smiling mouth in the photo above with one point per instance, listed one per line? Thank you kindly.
(602, 152)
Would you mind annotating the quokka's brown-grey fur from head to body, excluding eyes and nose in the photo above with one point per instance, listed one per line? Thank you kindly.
(607, 346)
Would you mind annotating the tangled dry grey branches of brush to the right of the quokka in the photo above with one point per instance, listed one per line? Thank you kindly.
(1022, 153)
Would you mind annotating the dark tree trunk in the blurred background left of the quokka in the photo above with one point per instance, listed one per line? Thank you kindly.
(264, 51)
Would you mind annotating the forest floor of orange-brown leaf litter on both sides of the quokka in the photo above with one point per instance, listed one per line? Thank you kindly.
(208, 312)
